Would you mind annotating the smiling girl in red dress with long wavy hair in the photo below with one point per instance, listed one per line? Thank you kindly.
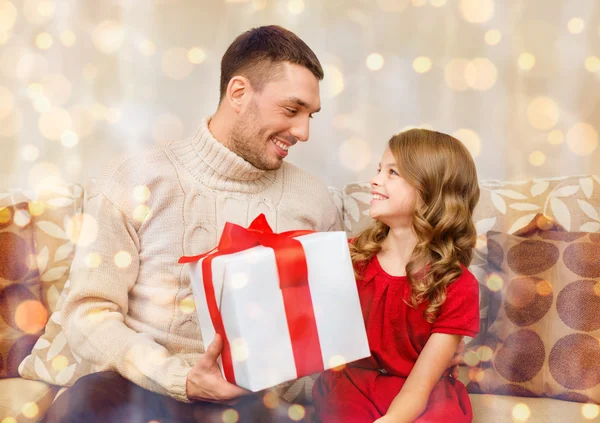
(417, 296)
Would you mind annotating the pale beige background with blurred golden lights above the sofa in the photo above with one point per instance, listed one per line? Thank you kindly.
(518, 82)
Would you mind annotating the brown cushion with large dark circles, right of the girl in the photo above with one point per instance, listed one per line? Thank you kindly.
(544, 320)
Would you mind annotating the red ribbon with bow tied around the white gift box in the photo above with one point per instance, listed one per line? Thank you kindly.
(293, 281)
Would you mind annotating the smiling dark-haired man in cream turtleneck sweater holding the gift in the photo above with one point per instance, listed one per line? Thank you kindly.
(133, 315)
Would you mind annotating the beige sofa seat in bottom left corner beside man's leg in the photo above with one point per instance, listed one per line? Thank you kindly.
(25, 400)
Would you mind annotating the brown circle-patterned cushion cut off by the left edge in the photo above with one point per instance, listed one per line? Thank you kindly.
(22, 311)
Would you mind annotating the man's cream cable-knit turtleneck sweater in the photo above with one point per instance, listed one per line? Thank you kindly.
(134, 313)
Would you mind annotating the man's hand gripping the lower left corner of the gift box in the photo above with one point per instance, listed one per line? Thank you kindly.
(205, 381)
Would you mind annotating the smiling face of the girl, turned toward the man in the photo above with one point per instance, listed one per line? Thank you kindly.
(394, 199)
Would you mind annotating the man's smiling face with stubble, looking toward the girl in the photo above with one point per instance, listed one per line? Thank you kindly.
(277, 117)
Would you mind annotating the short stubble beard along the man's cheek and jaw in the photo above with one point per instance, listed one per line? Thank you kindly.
(248, 140)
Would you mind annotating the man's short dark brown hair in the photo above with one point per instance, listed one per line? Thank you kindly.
(255, 54)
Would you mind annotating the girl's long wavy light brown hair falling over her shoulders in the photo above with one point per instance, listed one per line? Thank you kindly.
(442, 171)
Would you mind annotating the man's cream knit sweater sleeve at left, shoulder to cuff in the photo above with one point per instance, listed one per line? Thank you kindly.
(95, 310)
